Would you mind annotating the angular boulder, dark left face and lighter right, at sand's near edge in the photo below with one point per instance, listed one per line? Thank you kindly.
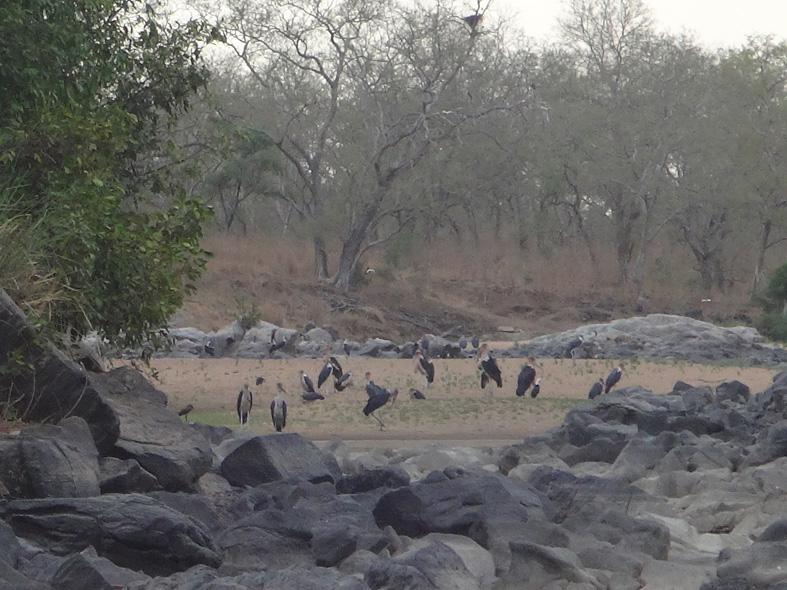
(267, 458)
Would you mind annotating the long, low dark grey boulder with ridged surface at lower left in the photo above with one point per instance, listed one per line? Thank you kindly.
(131, 530)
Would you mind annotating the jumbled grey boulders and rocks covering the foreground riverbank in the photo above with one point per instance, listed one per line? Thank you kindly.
(683, 490)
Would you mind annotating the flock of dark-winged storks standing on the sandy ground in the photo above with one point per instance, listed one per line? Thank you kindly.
(378, 396)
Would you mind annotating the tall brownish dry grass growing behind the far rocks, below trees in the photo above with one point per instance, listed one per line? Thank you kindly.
(277, 276)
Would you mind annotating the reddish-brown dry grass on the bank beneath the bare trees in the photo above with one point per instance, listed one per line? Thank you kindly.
(490, 285)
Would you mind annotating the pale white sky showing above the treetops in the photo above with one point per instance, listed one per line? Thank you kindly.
(714, 23)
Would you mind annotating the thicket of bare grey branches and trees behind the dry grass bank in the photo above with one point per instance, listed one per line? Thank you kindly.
(370, 124)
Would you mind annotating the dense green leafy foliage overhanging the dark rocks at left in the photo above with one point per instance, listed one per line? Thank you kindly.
(88, 86)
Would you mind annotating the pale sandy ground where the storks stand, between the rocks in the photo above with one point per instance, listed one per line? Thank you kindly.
(456, 409)
